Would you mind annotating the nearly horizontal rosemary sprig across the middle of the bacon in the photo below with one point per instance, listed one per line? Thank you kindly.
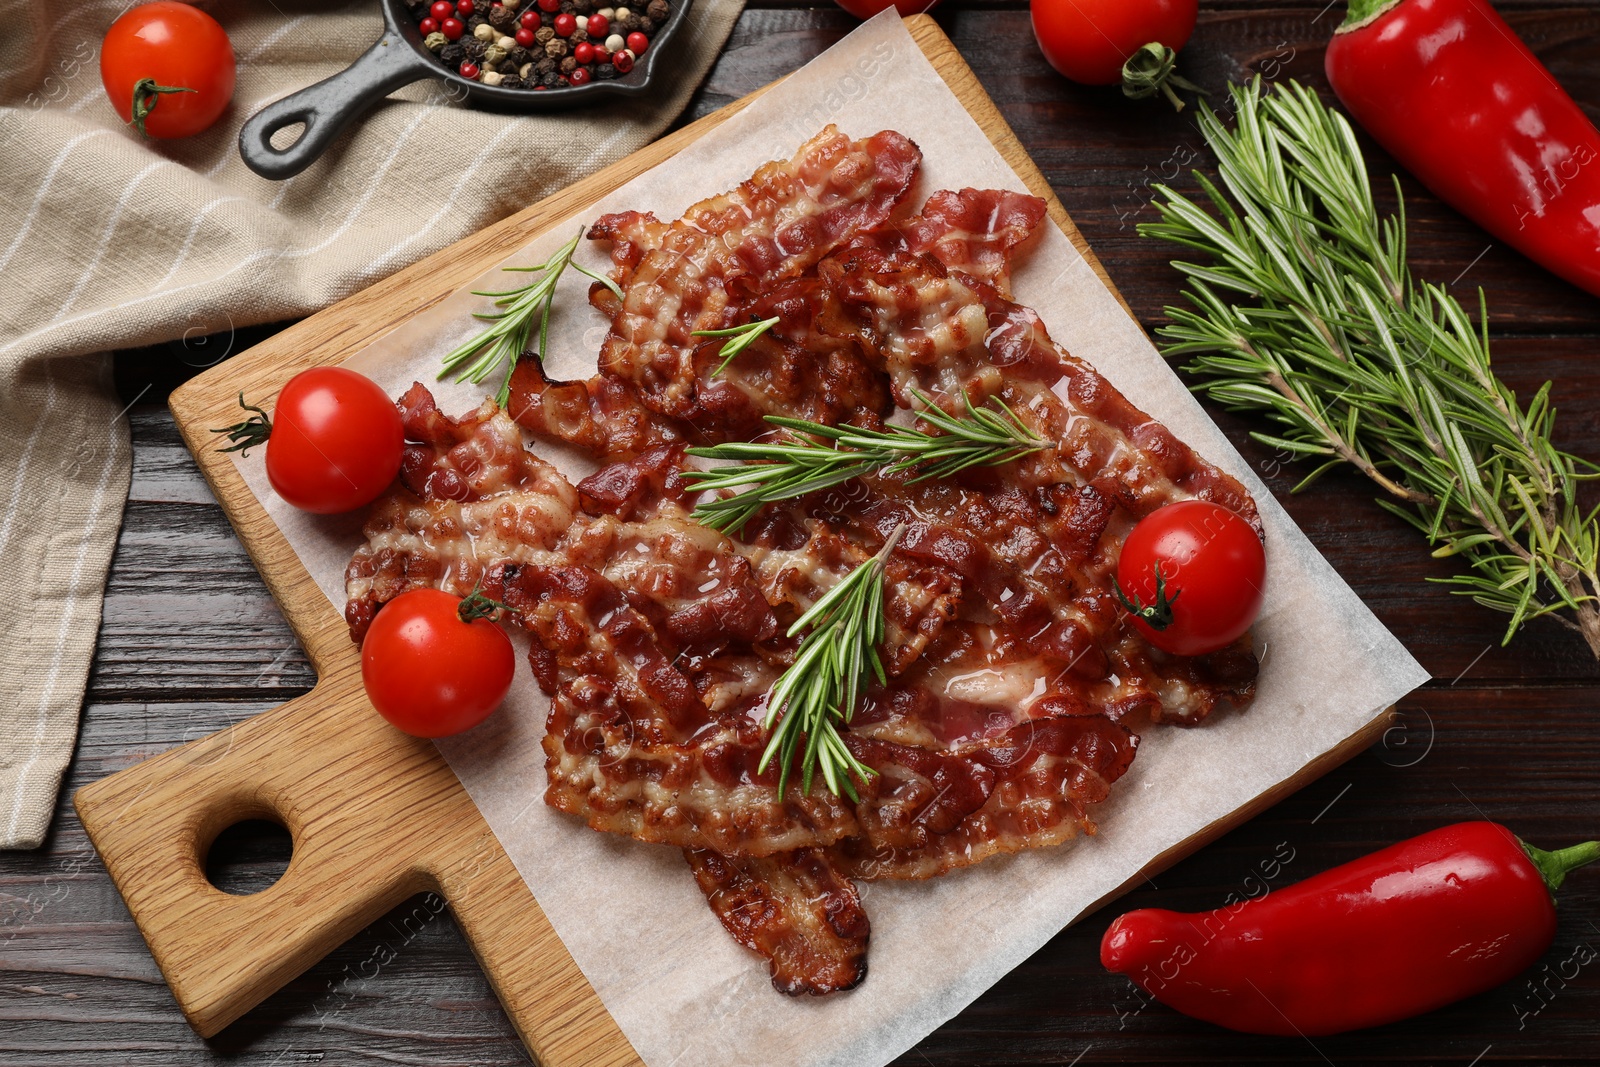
(802, 463)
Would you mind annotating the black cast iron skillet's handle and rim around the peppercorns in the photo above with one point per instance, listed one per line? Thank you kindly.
(401, 58)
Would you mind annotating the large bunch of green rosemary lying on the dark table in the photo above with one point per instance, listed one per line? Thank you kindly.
(1308, 313)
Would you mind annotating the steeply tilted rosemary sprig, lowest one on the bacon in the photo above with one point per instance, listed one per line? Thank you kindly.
(836, 661)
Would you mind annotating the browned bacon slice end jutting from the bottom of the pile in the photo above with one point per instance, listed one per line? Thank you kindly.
(794, 909)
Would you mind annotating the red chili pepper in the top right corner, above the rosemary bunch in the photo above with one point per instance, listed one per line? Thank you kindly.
(1462, 103)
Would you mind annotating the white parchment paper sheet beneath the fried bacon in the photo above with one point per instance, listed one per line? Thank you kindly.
(681, 989)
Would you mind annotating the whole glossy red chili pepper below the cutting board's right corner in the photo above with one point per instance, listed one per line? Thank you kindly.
(1402, 932)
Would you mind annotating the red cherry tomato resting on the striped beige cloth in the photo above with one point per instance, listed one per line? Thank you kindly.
(169, 70)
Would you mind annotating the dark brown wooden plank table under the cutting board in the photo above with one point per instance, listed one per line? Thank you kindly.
(191, 642)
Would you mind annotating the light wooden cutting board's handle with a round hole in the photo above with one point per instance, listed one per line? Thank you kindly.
(354, 857)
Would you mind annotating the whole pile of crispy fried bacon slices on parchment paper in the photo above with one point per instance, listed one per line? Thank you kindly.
(1015, 690)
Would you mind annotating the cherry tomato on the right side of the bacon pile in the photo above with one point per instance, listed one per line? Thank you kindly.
(1191, 577)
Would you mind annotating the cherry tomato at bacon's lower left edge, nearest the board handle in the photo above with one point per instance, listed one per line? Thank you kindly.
(431, 671)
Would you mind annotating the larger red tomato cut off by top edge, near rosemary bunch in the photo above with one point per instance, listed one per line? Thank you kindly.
(1089, 41)
